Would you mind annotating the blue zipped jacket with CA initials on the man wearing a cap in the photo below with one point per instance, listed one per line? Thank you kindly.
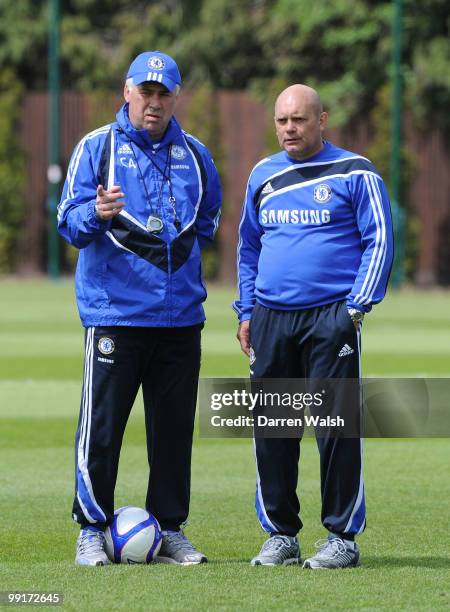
(126, 275)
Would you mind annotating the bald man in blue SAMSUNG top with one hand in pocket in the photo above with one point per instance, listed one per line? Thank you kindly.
(314, 255)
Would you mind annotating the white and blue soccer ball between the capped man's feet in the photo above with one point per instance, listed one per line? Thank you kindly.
(133, 537)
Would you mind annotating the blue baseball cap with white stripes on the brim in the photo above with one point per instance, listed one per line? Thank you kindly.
(155, 66)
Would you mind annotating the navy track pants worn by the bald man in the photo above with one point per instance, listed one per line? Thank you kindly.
(320, 342)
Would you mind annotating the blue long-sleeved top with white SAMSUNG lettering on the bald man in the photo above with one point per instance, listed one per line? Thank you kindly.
(314, 232)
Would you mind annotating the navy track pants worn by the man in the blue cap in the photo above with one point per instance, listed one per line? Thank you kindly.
(118, 361)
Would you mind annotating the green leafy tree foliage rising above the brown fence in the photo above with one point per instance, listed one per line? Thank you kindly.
(342, 47)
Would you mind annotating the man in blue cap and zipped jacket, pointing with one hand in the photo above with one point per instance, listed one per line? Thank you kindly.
(141, 199)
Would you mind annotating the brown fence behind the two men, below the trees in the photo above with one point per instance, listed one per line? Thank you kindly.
(242, 132)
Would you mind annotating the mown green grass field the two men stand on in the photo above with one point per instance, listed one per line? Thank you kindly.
(406, 552)
